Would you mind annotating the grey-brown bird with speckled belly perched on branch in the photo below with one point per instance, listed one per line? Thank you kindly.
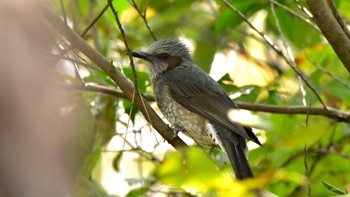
(194, 103)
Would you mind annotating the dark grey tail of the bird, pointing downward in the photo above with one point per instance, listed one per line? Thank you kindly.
(238, 158)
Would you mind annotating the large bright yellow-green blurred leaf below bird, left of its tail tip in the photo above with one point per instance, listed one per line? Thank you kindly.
(196, 171)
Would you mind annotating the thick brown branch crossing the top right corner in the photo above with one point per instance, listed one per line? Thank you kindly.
(332, 27)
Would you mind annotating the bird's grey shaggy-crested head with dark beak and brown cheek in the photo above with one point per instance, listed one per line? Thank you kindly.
(164, 55)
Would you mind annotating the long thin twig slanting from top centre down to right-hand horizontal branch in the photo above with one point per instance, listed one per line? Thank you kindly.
(275, 48)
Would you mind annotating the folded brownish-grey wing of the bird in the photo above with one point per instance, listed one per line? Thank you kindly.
(206, 100)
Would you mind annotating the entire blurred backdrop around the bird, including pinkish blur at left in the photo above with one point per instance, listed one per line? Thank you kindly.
(67, 127)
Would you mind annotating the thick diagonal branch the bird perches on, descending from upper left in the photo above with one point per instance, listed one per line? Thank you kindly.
(124, 84)
